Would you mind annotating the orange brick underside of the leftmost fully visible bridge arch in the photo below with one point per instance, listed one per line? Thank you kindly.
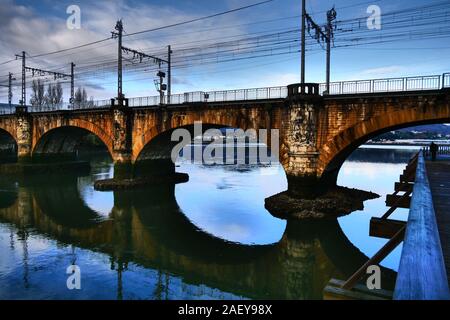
(71, 135)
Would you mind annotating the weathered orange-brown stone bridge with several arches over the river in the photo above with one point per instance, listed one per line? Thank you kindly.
(317, 133)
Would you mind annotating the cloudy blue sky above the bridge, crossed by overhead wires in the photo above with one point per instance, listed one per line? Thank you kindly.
(40, 26)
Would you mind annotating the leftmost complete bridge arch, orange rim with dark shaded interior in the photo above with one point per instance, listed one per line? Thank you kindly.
(64, 138)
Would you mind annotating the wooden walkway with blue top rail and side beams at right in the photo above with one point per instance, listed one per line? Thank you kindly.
(423, 272)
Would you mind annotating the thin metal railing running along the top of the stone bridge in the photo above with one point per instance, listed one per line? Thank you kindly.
(418, 83)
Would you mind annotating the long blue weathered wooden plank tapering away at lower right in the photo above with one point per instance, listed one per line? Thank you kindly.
(421, 274)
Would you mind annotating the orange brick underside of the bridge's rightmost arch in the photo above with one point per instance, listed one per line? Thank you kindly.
(334, 153)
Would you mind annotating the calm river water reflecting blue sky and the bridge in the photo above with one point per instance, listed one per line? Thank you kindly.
(209, 238)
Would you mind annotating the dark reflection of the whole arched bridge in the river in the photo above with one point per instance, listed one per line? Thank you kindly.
(146, 227)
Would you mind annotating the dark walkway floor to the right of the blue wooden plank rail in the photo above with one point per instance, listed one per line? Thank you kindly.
(439, 178)
